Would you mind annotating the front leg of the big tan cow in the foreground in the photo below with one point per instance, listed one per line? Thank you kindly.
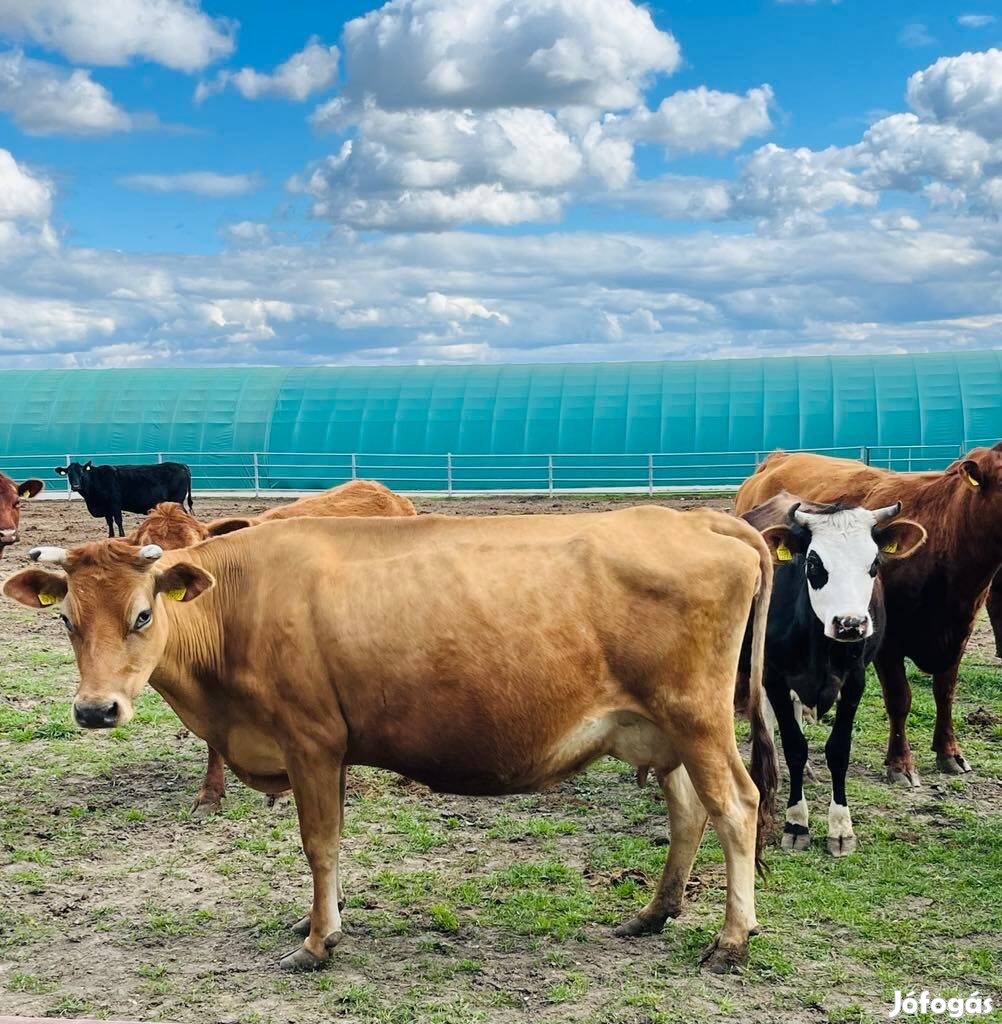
(319, 791)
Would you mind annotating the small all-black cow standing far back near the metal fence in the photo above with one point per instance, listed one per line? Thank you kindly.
(110, 491)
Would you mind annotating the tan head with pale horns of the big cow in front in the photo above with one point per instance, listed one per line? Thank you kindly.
(112, 602)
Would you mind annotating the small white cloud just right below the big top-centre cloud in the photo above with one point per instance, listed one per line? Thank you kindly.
(702, 120)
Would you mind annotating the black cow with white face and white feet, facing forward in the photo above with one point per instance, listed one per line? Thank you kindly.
(826, 622)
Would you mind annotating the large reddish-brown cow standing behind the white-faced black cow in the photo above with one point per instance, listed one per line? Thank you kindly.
(933, 599)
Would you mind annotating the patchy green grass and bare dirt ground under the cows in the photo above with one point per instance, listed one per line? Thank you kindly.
(114, 901)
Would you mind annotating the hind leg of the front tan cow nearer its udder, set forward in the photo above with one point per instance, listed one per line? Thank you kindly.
(688, 821)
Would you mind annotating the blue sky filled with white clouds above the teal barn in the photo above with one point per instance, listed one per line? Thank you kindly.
(492, 181)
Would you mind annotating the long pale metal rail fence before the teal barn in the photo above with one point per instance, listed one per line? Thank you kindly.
(295, 473)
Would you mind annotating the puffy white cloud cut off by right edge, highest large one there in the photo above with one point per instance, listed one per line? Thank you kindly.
(966, 91)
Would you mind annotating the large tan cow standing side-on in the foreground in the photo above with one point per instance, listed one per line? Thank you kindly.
(482, 656)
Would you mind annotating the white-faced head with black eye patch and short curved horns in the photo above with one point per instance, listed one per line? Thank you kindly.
(840, 551)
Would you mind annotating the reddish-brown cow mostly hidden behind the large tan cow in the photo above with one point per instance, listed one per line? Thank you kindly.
(170, 528)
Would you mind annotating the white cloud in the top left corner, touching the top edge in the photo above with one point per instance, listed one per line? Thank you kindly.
(175, 33)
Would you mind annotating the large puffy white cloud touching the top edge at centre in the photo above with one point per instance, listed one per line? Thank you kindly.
(500, 54)
